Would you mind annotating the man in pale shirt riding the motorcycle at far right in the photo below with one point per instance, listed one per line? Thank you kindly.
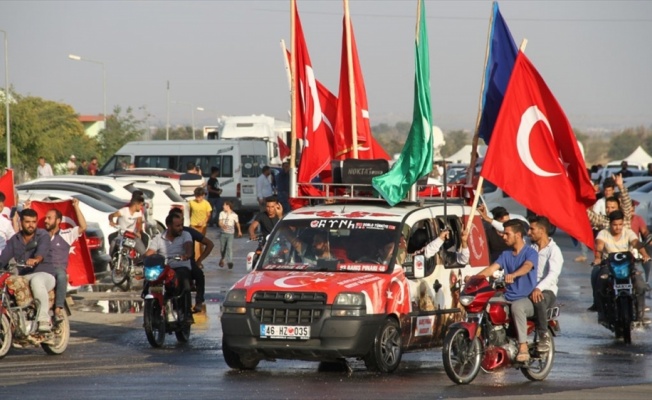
(616, 239)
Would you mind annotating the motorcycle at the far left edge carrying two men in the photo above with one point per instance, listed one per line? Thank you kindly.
(18, 312)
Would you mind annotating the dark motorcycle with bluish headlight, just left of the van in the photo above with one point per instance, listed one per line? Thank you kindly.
(167, 305)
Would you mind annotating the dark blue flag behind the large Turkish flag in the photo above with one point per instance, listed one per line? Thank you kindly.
(500, 62)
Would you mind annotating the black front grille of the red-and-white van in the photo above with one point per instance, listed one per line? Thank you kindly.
(304, 308)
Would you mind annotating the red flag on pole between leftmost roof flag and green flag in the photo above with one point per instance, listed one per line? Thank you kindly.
(368, 147)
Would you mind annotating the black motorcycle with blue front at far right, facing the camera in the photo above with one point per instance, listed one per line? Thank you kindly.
(619, 299)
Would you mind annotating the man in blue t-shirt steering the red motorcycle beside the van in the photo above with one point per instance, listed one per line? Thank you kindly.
(520, 266)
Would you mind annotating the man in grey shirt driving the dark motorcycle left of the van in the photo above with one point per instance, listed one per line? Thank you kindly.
(172, 242)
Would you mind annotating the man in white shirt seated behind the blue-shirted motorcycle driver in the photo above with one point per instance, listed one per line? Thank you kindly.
(548, 270)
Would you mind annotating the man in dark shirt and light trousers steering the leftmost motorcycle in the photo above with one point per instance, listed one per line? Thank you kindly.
(31, 247)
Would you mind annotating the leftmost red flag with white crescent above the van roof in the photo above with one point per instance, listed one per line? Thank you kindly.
(312, 99)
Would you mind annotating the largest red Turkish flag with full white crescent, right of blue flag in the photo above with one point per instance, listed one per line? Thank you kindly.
(534, 156)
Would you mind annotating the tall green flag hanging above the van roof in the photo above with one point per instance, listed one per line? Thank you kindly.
(416, 157)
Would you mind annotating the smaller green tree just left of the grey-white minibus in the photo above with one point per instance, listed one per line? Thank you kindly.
(120, 129)
